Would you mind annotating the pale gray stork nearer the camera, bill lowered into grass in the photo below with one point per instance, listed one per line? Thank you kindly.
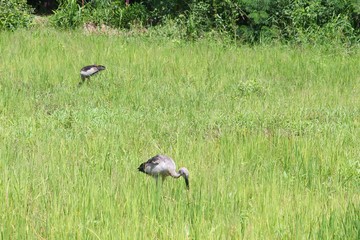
(161, 165)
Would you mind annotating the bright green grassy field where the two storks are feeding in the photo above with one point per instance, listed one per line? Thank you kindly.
(270, 135)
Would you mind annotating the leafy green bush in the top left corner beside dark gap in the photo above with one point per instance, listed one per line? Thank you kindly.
(14, 14)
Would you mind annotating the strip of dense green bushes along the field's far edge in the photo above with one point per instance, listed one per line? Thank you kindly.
(299, 21)
